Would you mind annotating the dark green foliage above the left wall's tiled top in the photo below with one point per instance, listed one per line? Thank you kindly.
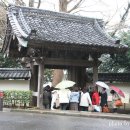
(8, 62)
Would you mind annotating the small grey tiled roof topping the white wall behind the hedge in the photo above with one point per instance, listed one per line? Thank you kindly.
(15, 73)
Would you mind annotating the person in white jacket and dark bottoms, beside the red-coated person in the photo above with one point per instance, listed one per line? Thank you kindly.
(85, 100)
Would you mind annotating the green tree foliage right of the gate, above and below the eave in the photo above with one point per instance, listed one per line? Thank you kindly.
(118, 62)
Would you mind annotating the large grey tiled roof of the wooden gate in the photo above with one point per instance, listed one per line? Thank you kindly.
(59, 28)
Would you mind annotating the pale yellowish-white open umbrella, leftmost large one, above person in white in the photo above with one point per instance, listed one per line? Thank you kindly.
(65, 84)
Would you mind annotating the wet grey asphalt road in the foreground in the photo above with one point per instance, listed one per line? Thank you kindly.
(37, 121)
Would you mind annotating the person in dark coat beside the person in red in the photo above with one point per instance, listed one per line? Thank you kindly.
(104, 96)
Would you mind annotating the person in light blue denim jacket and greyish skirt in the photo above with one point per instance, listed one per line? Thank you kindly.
(74, 99)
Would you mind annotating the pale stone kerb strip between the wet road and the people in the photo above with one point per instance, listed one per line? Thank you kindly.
(78, 114)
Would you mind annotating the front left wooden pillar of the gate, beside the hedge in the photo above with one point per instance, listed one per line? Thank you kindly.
(40, 85)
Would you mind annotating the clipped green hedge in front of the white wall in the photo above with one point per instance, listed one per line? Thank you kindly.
(17, 98)
